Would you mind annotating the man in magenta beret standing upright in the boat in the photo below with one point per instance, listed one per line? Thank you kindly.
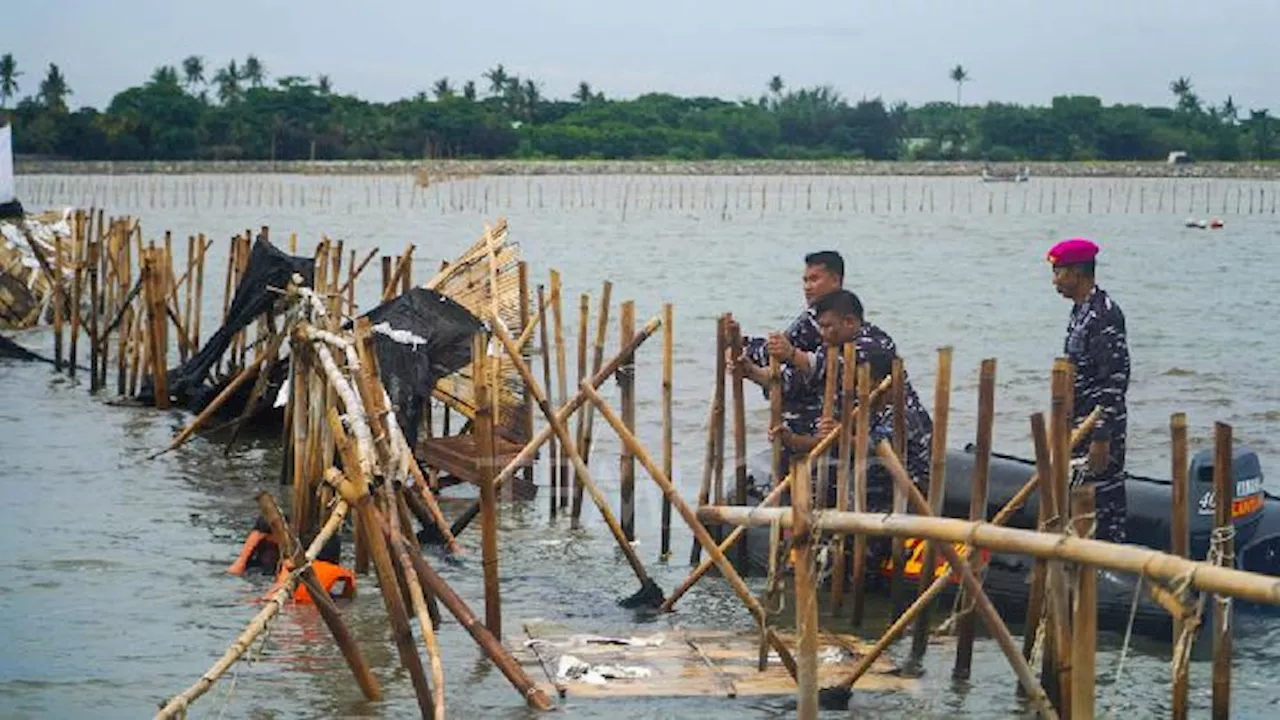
(1098, 347)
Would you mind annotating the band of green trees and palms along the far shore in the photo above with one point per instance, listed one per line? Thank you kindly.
(235, 113)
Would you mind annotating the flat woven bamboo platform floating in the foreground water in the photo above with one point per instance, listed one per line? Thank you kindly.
(685, 663)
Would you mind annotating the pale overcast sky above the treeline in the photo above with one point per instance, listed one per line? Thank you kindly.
(1016, 51)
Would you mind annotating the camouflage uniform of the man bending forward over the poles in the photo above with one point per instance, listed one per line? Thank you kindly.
(920, 426)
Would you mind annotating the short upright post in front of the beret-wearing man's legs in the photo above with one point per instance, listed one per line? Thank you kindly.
(1085, 636)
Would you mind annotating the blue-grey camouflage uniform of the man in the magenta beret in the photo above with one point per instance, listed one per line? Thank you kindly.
(1098, 347)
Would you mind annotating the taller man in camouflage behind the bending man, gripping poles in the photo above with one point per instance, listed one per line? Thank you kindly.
(825, 274)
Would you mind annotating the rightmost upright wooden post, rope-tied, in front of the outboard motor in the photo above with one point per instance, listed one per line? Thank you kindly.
(1224, 545)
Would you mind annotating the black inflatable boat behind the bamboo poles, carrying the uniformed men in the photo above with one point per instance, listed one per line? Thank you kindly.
(1008, 581)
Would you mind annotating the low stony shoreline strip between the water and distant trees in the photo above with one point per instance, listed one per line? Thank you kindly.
(468, 168)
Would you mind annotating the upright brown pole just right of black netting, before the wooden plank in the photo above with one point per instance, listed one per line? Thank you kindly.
(483, 431)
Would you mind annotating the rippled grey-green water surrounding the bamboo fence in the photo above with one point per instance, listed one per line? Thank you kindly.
(116, 594)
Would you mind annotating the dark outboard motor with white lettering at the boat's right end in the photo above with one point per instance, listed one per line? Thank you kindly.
(1249, 504)
